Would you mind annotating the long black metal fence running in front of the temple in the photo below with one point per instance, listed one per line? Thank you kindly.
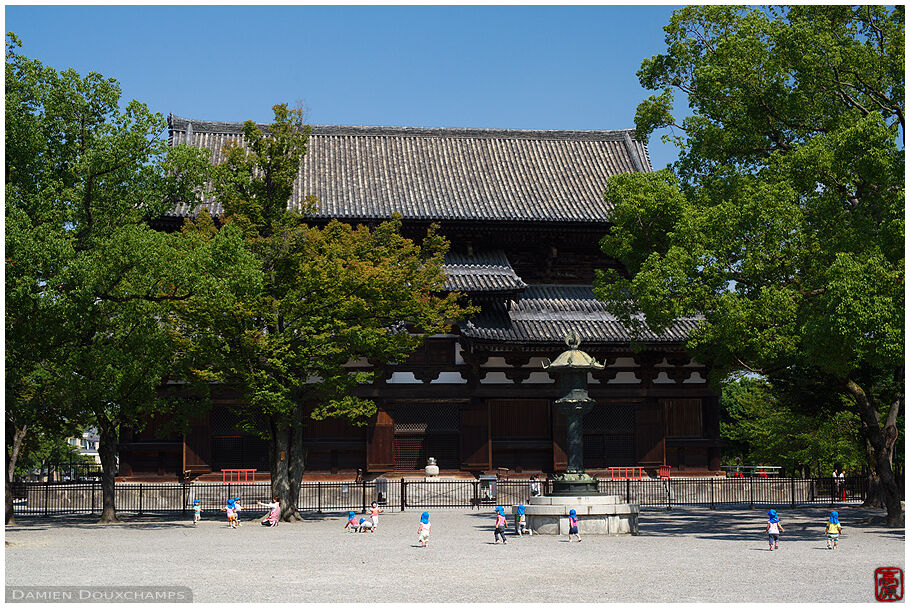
(45, 498)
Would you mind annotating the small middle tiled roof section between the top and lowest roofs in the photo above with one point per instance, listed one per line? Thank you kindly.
(481, 272)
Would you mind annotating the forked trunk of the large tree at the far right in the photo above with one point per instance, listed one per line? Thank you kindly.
(880, 446)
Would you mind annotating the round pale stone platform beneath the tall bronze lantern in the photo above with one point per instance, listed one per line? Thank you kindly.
(598, 514)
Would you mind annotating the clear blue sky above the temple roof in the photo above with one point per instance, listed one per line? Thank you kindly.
(522, 67)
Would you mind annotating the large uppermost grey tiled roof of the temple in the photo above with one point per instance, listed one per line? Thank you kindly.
(447, 173)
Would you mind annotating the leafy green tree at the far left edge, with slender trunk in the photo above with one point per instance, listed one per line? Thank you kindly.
(89, 284)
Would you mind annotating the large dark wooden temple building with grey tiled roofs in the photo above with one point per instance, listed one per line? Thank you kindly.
(524, 212)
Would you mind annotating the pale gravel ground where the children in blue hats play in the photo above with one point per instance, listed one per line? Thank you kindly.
(684, 555)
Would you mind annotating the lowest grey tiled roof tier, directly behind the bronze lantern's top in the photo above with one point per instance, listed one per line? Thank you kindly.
(547, 313)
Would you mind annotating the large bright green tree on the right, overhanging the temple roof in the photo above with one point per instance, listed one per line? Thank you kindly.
(782, 223)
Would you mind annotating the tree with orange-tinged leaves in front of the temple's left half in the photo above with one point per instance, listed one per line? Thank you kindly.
(323, 296)
